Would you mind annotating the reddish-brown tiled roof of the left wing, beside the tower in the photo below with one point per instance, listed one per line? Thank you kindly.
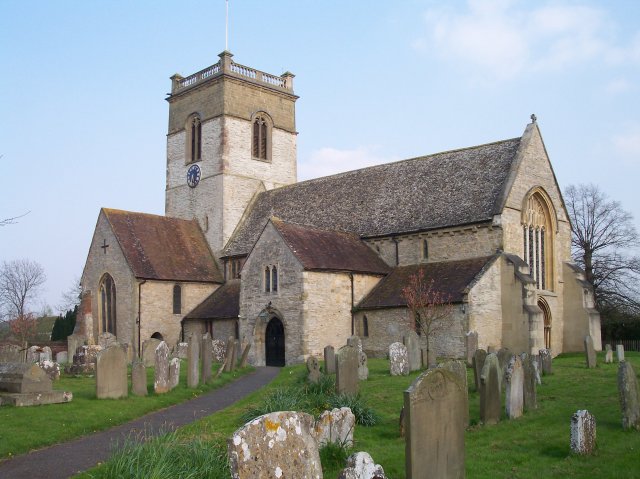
(163, 248)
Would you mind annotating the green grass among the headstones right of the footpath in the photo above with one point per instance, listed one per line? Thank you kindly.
(534, 446)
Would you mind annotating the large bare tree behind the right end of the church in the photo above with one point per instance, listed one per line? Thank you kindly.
(603, 241)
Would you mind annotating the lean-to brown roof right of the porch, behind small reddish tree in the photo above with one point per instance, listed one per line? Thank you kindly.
(450, 277)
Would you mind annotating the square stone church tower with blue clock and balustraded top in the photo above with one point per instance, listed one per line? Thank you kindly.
(231, 135)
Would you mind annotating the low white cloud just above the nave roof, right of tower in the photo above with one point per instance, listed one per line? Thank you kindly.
(329, 161)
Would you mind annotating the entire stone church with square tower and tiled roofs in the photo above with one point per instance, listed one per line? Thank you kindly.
(245, 250)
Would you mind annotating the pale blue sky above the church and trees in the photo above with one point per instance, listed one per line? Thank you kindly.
(83, 84)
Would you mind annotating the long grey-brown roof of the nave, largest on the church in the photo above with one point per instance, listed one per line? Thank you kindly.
(445, 189)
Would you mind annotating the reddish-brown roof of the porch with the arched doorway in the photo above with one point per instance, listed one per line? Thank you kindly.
(319, 249)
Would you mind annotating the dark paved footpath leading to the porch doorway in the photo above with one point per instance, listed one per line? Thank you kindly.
(69, 458)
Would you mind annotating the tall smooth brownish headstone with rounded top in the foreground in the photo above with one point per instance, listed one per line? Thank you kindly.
(434, 425)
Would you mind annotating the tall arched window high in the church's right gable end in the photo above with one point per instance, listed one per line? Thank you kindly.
(538, 226)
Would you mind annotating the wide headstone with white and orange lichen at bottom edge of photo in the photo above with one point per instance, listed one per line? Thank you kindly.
(276, 445)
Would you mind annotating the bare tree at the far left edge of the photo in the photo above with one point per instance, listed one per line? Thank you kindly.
(20, 282)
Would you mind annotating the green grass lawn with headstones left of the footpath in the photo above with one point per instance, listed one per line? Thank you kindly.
(26, 428)
